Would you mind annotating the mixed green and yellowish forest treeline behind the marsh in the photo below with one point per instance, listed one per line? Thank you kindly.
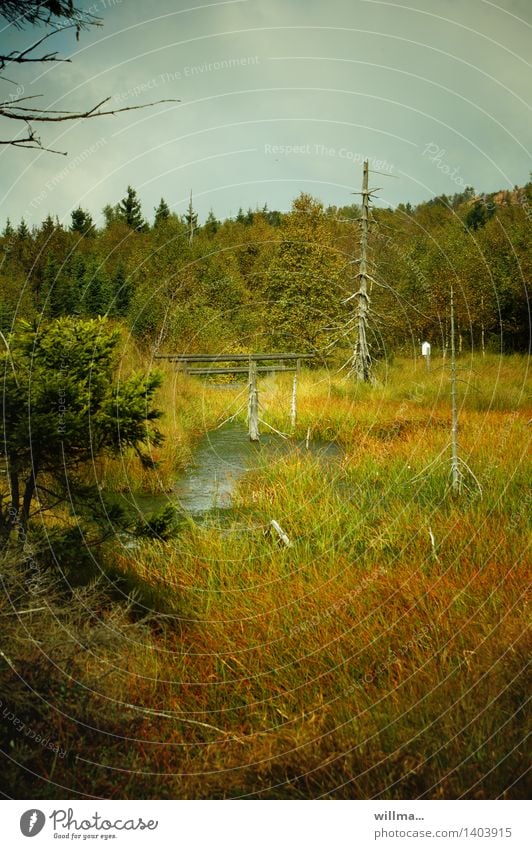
(272, 279)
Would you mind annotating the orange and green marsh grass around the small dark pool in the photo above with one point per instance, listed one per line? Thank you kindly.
(383, 655)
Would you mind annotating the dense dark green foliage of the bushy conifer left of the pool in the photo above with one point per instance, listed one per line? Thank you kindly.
(62, 409)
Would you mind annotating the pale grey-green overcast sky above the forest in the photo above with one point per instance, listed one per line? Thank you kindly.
(278, 97)
